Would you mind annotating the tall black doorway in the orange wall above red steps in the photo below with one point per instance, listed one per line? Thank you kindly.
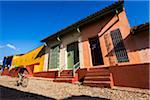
(96, 52)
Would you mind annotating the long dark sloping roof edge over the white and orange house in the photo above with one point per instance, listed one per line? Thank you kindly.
(86, 20)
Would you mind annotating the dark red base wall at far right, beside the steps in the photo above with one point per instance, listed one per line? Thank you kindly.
(136, 76)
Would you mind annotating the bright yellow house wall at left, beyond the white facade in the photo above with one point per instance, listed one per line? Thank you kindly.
(30, 58)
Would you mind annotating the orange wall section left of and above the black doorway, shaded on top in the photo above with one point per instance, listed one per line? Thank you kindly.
(87, 32)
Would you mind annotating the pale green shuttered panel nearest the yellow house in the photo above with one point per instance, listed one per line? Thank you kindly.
(54, 57)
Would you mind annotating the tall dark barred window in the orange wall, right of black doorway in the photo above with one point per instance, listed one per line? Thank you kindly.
(119, 47)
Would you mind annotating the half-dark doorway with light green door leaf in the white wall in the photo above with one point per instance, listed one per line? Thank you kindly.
(72, 55)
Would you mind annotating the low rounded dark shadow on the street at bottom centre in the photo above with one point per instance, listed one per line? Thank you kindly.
(84, 97)
